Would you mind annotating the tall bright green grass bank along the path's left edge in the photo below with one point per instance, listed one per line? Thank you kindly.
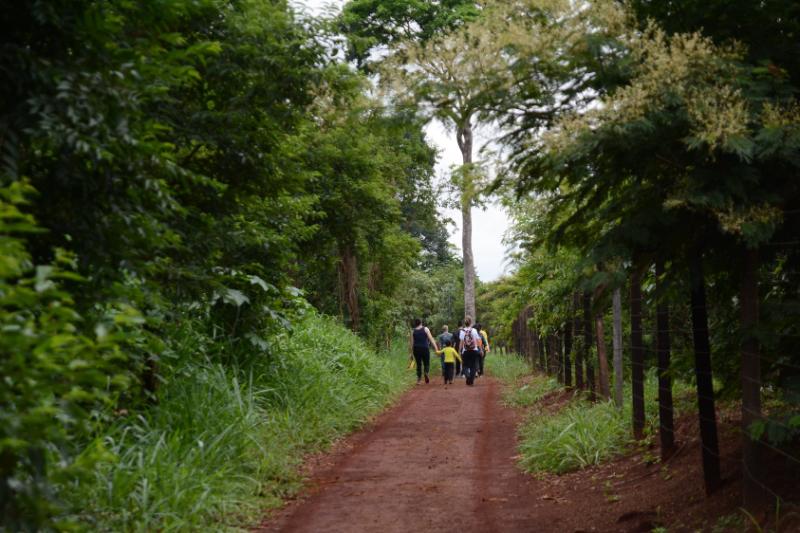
(225, 442)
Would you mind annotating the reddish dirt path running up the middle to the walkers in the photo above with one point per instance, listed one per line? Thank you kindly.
(441, 460)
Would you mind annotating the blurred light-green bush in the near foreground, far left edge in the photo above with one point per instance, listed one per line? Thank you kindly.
(58, 382)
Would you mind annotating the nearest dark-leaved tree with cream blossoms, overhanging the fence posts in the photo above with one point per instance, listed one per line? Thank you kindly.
(688, 158)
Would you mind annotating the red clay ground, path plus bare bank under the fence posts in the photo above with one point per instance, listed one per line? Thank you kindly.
(444, 460)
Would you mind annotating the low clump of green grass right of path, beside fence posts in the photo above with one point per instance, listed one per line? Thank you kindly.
(585, 434)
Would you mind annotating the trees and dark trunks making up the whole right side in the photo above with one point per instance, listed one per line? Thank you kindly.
(662, 167)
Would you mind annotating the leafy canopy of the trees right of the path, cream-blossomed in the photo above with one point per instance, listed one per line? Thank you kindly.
(688, 151)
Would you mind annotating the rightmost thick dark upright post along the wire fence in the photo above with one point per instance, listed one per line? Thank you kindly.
(753, 494)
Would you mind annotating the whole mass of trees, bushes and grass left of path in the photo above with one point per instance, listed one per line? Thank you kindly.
(177, 180)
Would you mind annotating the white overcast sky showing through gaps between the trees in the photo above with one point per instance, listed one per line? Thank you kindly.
(489, 226)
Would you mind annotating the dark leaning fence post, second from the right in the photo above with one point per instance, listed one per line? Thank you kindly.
(705, 385)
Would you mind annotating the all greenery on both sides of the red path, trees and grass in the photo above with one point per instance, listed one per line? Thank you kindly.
(188, 187)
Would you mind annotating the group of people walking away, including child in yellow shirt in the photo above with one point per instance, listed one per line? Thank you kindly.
(461, 353)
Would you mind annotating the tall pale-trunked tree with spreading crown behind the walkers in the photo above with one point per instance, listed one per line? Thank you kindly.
(505, 68)
